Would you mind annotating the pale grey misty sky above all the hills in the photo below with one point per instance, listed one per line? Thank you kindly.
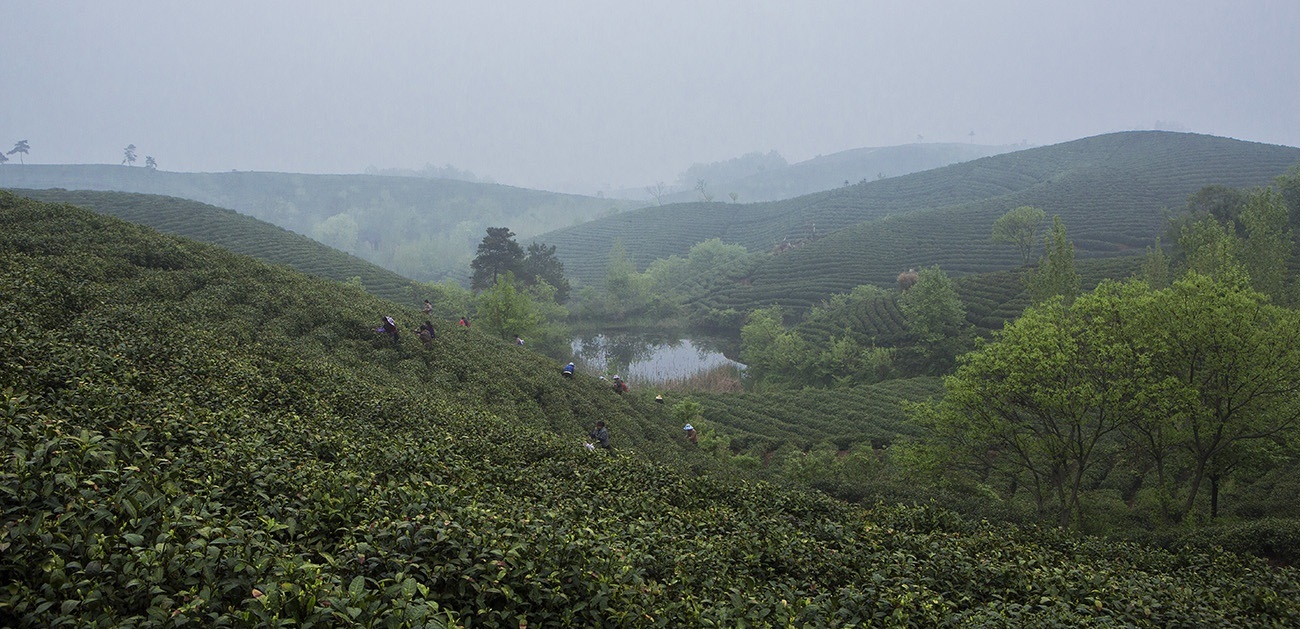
(591, 96)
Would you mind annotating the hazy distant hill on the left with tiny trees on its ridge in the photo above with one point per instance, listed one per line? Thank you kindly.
(423, 229)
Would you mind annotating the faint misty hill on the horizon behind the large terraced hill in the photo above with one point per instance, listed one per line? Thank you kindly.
(827, 173)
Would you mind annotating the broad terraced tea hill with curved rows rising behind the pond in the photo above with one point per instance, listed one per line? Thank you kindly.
(1111, 191)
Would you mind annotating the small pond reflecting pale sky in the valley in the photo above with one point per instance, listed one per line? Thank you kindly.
(651, 357)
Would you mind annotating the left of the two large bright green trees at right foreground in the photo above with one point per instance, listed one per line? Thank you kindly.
(1040, 402)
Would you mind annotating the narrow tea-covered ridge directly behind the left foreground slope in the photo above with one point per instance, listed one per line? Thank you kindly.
(239, 234)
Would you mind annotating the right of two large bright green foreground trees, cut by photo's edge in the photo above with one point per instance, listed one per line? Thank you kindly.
(1232, 363)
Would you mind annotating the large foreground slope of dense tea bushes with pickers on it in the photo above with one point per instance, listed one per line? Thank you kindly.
(193, 437)
